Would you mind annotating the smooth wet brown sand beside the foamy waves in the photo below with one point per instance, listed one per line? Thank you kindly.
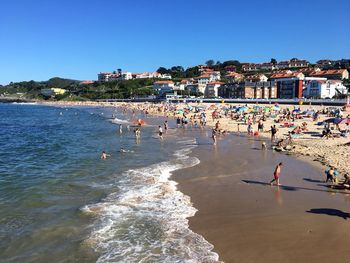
(251, 221)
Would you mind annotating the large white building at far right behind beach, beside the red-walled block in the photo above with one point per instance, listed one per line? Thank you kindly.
(324, 89)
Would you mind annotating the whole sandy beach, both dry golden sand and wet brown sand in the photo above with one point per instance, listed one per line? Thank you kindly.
(245, 218)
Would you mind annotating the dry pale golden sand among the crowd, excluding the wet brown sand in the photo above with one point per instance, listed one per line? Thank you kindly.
(331, 152)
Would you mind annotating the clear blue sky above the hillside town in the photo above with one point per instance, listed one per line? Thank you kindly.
(77, 39)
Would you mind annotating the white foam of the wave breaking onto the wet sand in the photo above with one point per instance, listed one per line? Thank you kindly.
(146, 221)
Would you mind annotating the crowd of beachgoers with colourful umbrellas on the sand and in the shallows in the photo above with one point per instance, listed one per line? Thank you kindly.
(286, 124)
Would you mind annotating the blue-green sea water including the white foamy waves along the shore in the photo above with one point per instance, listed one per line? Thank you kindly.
(59, 202)
